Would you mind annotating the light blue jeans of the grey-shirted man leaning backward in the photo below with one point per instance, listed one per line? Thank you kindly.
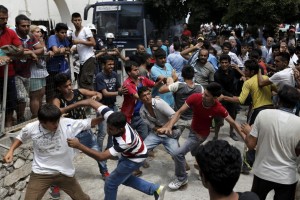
(170, 144)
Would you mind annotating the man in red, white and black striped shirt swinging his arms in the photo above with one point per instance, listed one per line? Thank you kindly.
(132, 152)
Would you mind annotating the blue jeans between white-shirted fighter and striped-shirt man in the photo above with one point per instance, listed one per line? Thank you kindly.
(88, 139)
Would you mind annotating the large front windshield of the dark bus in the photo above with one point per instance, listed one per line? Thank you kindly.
(121, 20)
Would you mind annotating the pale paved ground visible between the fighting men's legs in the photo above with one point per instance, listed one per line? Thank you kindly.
(161, 171)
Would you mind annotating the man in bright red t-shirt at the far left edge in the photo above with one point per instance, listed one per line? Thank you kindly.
(8, 37)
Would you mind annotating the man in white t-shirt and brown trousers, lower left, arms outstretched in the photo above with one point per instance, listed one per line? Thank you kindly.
(53, 159)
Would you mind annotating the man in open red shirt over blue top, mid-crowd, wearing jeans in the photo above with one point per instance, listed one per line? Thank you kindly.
(131, 104)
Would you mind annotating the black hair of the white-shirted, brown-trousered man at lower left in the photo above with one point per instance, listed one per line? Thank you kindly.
(49, 113)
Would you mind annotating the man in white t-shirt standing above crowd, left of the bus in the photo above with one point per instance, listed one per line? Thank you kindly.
(84, 40)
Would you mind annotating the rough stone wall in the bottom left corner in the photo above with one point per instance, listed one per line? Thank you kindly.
(14, 176)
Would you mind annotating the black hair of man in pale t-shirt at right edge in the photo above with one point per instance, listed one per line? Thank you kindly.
(288, 96)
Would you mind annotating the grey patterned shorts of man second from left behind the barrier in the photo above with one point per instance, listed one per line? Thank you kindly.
(22, 86)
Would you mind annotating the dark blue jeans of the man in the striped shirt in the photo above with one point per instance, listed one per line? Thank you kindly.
(123, 175)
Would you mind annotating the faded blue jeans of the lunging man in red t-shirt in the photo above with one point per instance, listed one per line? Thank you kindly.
(191, 145)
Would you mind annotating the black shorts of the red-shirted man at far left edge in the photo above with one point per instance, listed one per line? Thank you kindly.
(11, 99)
